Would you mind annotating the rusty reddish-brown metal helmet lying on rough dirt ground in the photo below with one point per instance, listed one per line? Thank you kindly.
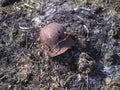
(55, 39)
